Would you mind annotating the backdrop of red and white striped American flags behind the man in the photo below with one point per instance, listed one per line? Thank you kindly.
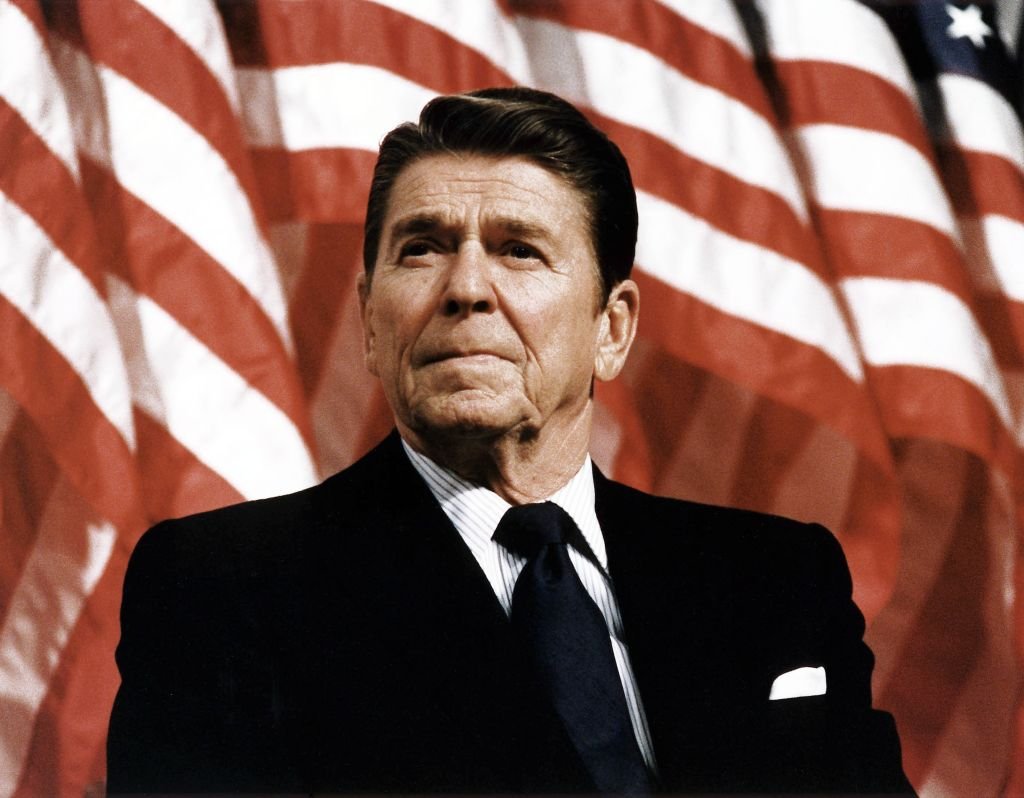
(831, 255)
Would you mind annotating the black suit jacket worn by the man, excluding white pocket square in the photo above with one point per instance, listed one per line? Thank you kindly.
(344, 639)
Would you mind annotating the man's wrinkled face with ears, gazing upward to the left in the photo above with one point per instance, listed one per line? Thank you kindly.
(484, 314)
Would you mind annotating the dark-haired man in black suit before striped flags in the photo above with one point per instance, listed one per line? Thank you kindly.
(473, 607)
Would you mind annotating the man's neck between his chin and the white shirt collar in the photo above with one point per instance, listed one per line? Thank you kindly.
(522, 467)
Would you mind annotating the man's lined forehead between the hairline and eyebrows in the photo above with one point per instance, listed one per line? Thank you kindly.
(456, 190)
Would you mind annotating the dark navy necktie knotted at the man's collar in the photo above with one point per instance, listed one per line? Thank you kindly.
(566, 642)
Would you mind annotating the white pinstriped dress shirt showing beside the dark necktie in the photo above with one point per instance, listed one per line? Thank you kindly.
(476, 513)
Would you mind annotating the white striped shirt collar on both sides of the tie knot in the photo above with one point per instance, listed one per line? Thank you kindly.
(476, 511)
